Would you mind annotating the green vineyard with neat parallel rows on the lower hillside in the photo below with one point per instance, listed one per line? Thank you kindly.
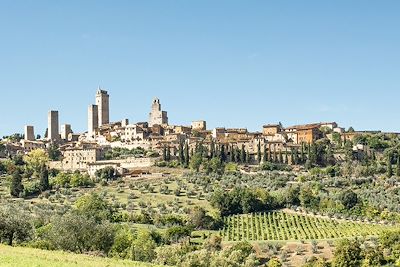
(281, 226)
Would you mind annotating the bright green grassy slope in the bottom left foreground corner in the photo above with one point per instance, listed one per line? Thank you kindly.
(27, 257)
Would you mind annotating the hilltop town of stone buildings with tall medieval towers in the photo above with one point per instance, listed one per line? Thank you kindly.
(88, 151)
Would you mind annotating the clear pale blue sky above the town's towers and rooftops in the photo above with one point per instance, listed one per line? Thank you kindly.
(232, 63)
